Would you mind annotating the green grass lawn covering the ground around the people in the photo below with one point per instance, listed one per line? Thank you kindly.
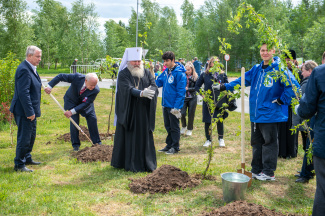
(63, 186)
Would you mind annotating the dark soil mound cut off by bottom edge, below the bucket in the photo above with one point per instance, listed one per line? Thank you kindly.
(242, 208)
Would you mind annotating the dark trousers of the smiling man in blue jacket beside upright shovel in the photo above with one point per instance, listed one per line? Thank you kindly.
(264, 140)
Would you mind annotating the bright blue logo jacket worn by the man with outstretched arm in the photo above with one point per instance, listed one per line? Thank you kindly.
(263, 91)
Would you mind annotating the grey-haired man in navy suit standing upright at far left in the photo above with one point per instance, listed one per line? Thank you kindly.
(25, 106)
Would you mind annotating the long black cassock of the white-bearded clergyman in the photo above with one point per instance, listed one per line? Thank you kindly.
(134, 148)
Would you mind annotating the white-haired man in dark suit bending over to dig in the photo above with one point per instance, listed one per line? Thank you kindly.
(79, 99)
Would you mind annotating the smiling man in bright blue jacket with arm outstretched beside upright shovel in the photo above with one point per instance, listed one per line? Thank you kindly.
(265, 100)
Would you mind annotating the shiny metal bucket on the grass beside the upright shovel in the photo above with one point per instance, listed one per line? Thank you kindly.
(234, 186)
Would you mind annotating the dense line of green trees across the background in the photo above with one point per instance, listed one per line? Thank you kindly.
(64, 35)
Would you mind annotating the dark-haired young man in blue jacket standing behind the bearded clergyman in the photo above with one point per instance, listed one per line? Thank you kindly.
(173, 80)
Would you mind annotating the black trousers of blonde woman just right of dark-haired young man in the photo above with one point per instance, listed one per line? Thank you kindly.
(190, 106)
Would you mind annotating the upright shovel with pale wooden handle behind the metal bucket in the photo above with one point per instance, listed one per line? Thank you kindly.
(242, 170)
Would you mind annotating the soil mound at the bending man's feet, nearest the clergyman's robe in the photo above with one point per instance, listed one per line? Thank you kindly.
(95, 153)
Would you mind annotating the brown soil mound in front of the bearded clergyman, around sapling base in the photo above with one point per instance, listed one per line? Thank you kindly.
(166, 178)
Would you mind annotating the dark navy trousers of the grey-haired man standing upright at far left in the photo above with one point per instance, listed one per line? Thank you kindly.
(25, 140)
